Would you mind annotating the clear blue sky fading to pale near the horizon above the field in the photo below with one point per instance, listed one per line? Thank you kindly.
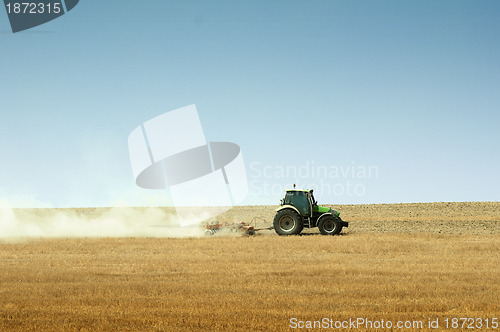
(408, 88)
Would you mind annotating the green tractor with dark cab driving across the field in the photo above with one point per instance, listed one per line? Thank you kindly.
(299, 209)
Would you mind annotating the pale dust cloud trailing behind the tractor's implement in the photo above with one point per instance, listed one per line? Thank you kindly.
(92, 222)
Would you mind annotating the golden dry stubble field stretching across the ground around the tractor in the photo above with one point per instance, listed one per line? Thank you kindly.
(395, 262)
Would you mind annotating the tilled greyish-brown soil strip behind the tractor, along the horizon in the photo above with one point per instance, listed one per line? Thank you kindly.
(407, 218)
